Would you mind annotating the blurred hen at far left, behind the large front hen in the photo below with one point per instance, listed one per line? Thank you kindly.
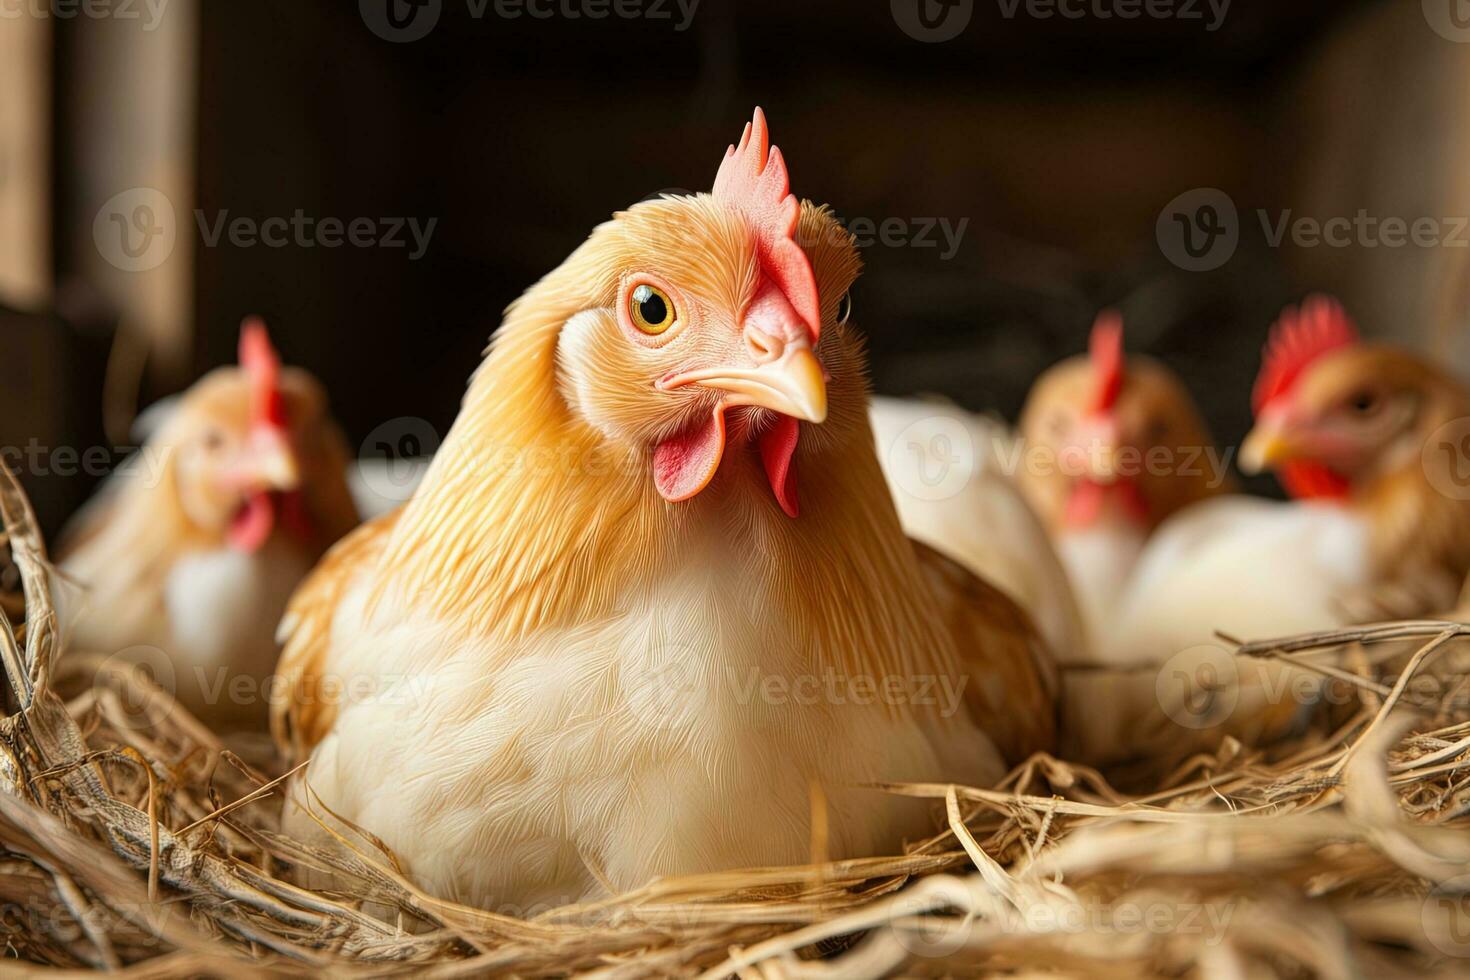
(195, 546)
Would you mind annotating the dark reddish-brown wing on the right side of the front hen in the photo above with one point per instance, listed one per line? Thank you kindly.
(1014, 680)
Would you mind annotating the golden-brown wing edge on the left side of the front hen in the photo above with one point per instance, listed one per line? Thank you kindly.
(304, 719)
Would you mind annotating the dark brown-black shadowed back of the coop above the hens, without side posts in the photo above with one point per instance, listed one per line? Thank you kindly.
(1058, 140)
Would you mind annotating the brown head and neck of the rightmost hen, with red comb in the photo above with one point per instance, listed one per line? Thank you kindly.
(1381, 434)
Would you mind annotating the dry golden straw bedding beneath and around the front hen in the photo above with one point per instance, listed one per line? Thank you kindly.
(133, 840)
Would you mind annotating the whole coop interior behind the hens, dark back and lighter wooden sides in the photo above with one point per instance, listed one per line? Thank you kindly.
(1028, 158)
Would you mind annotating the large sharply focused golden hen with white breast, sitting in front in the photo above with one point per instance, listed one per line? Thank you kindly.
(661, 490)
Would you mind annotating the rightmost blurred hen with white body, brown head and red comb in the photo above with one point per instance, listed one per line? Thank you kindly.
(1366, 439)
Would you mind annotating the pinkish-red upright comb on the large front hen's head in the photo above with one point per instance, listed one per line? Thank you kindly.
(753, 180)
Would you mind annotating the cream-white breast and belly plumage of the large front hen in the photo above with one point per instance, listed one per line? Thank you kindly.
(640, 746)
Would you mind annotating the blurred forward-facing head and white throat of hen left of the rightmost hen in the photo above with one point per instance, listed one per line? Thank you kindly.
(1114, 446)
